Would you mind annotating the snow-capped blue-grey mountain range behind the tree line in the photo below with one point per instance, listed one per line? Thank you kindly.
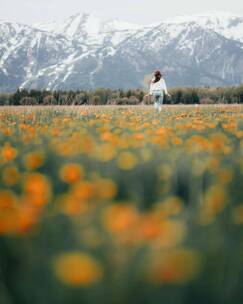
(86, 52)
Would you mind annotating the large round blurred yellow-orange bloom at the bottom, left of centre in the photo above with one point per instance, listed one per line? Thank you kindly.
(77, 269)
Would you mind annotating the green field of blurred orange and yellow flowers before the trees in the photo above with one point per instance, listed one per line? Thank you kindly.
(119, 205)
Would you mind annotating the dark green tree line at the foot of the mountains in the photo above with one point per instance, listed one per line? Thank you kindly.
(102, 96)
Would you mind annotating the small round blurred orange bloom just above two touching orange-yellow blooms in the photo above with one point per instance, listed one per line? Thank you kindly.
(71, 173)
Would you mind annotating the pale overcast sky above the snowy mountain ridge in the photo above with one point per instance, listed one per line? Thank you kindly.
(136, 11)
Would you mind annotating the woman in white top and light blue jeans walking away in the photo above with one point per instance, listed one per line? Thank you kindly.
(158, 89)
